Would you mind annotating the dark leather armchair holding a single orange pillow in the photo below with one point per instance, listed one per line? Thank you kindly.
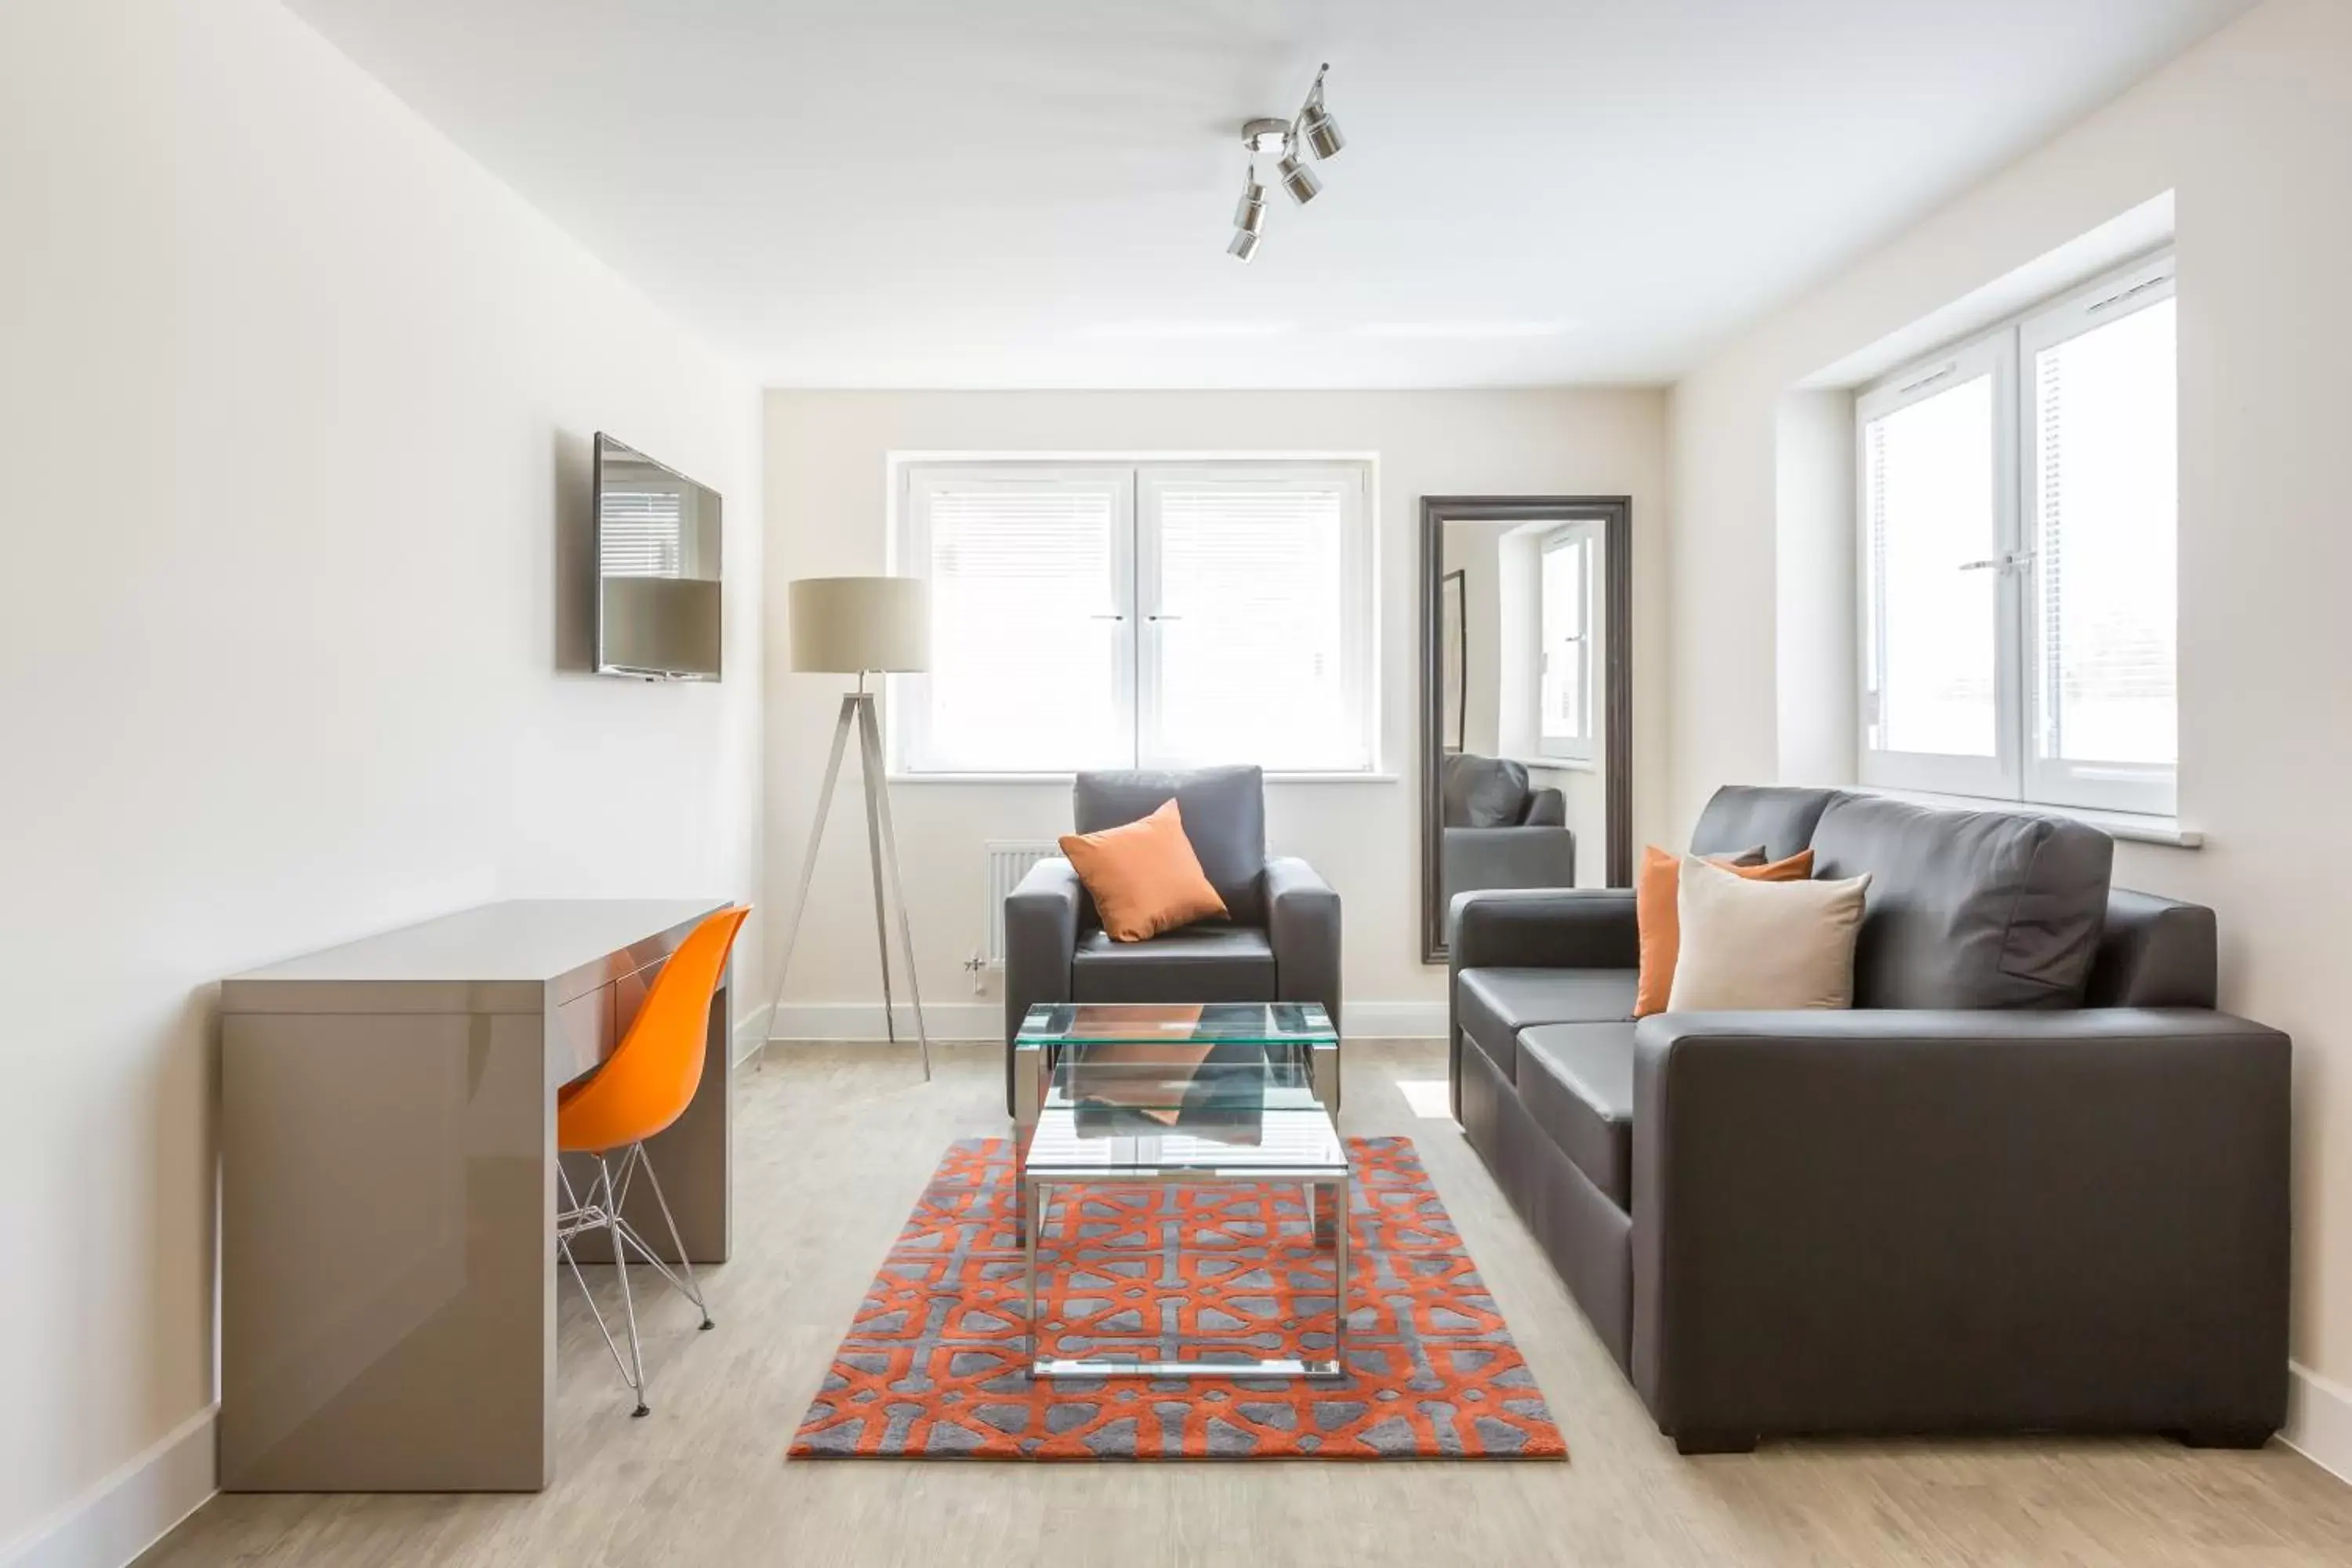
(1281, 942)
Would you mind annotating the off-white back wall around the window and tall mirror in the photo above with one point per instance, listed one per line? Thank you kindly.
(827, 497)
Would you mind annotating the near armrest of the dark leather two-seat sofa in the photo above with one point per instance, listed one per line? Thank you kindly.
(1939, 1221)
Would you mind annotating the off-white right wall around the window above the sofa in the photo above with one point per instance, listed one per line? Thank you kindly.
(2254, 135)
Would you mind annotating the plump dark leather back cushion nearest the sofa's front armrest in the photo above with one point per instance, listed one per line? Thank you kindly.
(1967, 909)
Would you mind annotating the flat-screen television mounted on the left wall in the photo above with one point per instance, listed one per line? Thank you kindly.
(657, 568)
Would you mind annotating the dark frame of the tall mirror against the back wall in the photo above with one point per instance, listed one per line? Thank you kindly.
(1615, 514)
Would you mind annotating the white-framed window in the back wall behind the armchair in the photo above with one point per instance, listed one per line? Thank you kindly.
(1161, 615)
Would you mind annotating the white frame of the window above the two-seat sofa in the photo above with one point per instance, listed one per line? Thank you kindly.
(2014, 772)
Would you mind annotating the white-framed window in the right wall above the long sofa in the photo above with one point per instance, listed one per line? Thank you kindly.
(2019, 507)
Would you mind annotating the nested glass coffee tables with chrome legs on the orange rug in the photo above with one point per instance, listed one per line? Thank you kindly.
(1208, 1094)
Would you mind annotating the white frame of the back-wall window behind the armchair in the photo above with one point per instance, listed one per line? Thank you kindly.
(1135, 589)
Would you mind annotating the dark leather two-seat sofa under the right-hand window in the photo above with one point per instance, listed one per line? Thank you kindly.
(2033, 1181)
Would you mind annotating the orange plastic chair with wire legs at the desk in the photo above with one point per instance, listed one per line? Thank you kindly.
(641, 1090)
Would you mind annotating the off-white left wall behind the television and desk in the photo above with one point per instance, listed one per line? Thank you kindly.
(293, 413)
